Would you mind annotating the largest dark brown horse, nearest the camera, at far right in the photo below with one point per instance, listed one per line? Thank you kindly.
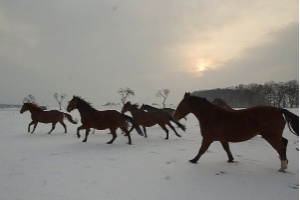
(218, 124)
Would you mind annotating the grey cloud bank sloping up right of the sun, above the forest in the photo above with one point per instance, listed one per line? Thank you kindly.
(276, 59)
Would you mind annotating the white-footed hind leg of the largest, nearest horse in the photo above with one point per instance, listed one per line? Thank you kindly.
(279, 145)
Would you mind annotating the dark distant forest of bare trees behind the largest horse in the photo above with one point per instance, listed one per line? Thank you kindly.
(282, 94)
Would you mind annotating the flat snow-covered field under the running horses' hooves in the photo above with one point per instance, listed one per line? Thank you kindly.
(59, 166)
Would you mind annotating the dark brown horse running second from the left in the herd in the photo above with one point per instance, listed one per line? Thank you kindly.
(108, 119)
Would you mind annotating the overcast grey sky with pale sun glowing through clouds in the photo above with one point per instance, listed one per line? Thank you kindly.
(93, 48)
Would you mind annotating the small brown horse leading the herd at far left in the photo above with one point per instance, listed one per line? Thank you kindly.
(39, 115)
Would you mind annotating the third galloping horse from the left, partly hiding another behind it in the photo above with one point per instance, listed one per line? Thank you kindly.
(148, 119)
